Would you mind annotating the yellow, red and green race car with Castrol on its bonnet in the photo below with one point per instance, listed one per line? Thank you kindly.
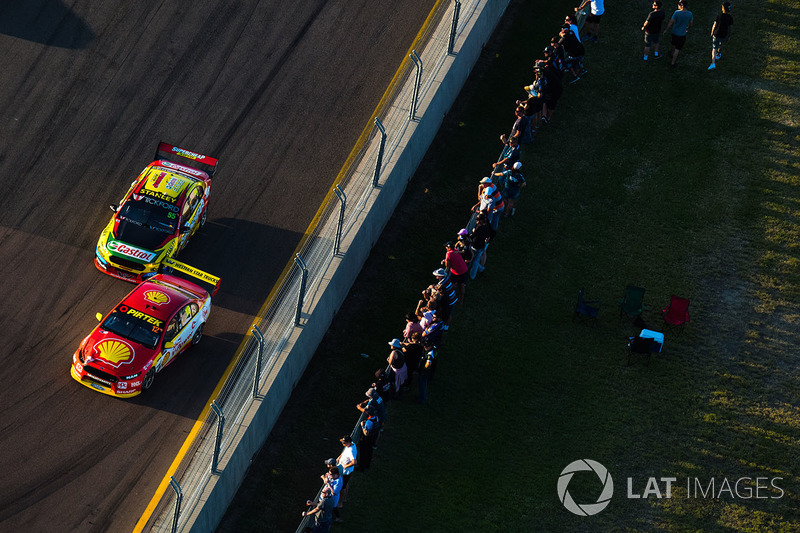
(158, 215)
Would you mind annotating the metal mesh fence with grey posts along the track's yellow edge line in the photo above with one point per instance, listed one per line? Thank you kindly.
(302, 279)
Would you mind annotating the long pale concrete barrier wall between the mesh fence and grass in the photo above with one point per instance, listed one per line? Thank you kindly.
(450, 75)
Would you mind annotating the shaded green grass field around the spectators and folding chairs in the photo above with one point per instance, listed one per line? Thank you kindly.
(678, 180)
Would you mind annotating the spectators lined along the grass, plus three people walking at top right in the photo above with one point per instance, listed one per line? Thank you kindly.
(412, 357)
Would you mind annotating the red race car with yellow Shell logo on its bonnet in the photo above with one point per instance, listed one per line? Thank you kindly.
(145, 332)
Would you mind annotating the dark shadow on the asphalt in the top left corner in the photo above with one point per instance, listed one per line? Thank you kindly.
(52, 24)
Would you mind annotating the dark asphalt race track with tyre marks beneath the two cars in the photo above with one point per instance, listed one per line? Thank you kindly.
(278, 91)
